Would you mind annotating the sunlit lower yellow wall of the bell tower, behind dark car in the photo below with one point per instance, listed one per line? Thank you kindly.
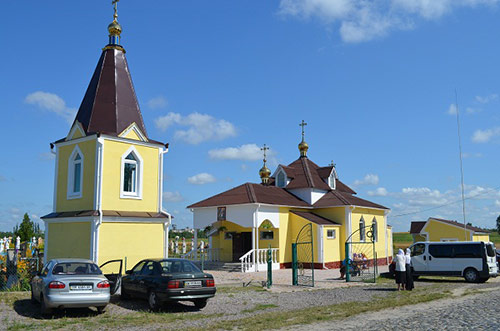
(133, 241)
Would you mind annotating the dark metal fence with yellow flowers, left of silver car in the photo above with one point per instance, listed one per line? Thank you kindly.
(16, 272)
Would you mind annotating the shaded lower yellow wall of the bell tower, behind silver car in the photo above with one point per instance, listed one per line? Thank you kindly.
(68, 240)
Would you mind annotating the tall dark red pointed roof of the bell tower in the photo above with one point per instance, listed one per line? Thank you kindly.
(110, 104)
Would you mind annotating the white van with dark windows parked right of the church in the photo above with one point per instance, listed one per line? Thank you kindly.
(474, 260)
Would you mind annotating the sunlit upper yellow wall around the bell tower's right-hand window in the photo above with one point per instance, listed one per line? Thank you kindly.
(112, 162)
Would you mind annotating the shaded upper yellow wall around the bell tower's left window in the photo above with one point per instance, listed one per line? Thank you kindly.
(86, 202)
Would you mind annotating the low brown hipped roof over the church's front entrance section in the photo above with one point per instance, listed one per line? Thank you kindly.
(252, 193)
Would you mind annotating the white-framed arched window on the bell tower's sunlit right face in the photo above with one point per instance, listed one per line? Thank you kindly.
(131, 174)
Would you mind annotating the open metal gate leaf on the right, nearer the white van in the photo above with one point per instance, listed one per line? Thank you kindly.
(361, 256)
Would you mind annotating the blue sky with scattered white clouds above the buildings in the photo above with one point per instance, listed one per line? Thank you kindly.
(375, 81)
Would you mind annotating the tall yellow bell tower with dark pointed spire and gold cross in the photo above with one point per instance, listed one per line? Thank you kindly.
(108, 173)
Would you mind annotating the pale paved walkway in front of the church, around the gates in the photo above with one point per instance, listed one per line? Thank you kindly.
(283, 277)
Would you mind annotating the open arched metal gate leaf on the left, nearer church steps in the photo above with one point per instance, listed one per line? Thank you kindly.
(303, 257)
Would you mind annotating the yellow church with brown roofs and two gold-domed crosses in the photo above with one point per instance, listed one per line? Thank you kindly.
(245, 221)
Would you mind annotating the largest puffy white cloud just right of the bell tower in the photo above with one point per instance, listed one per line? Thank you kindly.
(200, 127)
